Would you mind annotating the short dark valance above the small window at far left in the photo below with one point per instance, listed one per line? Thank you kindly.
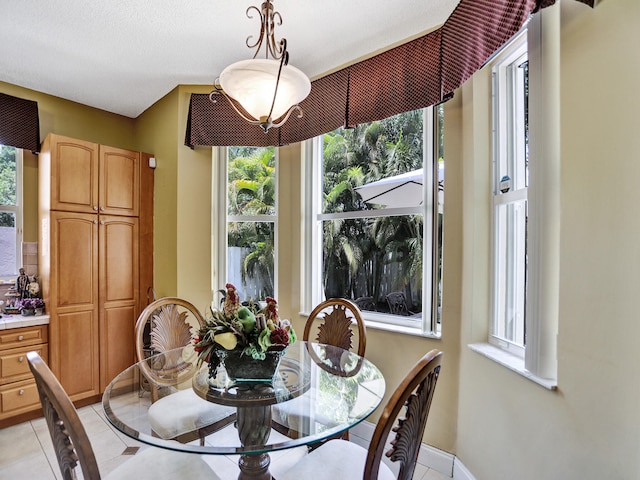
(19, 123)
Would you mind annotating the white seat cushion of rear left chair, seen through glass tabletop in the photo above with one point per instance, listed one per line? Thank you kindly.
(194, 413)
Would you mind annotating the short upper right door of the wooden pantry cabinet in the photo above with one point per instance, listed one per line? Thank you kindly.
(119, 181)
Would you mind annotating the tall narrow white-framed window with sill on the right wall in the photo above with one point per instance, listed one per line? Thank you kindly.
(526, 203)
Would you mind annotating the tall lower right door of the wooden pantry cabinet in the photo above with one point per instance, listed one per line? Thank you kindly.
(118, 294)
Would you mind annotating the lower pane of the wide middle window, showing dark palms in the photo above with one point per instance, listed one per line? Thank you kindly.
(373, 258)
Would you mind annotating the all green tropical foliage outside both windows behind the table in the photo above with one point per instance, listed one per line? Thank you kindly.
(362, 257)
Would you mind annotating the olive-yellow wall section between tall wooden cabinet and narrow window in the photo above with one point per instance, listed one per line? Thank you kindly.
(182, 200)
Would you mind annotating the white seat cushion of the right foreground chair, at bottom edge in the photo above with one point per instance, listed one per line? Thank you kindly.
(336, 459)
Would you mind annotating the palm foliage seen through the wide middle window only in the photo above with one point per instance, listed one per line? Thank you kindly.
(358, 252)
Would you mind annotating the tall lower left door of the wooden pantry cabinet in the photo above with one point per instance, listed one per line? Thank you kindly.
(73, 304)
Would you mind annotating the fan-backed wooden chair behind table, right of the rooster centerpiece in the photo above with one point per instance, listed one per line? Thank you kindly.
(336, 322)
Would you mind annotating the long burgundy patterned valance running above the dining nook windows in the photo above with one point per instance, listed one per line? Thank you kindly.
(417, 74)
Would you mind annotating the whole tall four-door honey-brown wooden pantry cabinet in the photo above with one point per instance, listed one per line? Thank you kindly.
(89, 259)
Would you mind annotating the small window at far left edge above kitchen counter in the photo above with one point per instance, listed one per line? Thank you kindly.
(10, 210)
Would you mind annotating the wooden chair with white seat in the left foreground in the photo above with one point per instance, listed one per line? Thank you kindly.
(73, 448)
